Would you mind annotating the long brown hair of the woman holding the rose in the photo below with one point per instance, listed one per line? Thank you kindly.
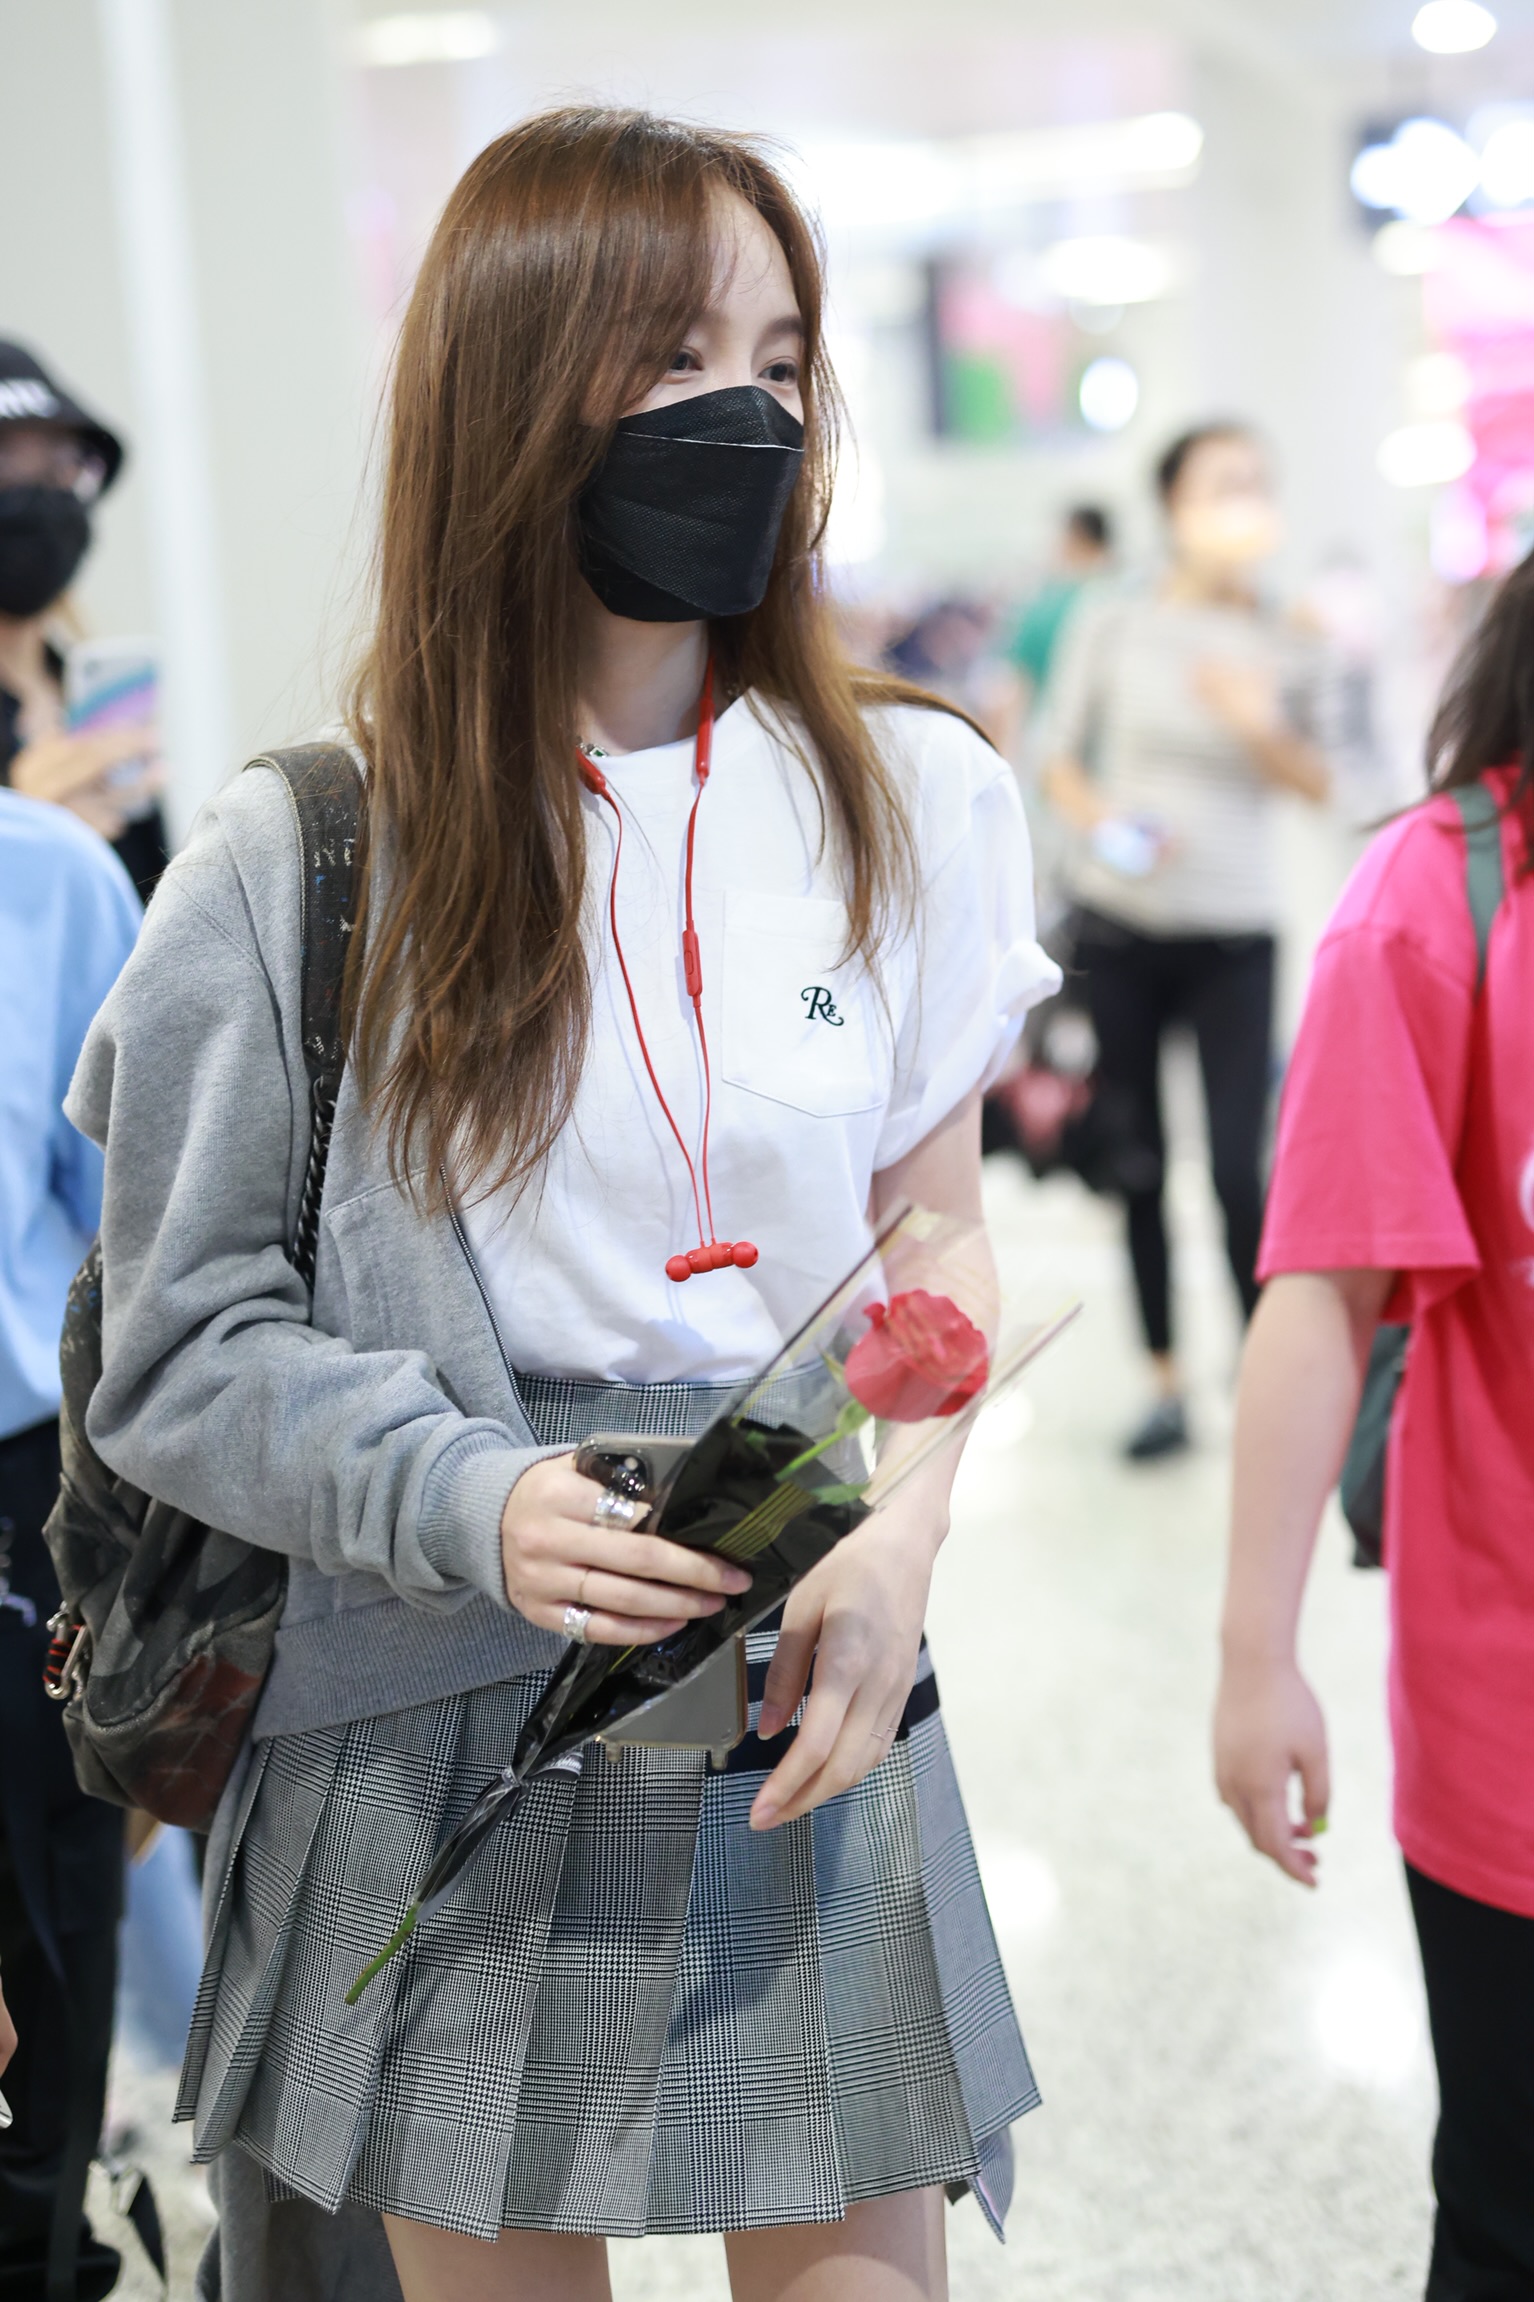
(565, 273)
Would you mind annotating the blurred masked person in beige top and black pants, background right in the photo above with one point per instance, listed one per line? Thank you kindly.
(1174, 717)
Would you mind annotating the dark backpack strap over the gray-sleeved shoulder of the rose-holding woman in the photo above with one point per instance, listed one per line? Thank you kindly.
(326, 791)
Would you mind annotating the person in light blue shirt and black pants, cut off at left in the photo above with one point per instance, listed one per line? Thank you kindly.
(68, 922)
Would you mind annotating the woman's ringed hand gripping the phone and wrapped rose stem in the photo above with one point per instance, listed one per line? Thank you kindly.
(637, 1587)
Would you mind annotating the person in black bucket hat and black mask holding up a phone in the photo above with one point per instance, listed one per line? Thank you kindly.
(54, 464)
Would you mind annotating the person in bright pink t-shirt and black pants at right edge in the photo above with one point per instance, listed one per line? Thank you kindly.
(1404, 1189)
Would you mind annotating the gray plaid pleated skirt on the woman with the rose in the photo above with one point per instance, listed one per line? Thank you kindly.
(635, 2013)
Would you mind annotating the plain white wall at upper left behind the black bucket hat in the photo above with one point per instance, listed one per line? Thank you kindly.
(278, 337)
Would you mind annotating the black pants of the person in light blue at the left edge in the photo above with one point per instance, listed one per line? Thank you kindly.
(61, 1898)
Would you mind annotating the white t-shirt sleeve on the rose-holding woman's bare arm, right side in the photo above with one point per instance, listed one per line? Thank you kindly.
(978, 961)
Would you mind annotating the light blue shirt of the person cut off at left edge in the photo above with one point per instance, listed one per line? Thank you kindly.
(68, 922)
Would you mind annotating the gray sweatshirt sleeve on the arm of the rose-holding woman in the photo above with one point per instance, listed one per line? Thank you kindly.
(218, 1394)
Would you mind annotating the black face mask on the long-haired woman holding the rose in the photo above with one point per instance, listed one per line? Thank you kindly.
(683, 517)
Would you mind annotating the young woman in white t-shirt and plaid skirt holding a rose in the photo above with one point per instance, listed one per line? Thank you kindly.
(759, 2002)
